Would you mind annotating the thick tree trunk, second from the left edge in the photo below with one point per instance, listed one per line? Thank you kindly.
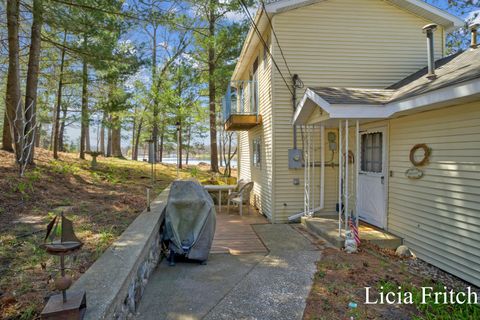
(32, 79)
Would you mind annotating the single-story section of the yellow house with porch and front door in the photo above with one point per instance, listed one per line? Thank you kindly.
(414, 159)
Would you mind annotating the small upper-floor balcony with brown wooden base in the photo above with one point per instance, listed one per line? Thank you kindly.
(240, 106)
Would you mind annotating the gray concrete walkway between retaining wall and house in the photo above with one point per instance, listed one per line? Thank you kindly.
(249, 286)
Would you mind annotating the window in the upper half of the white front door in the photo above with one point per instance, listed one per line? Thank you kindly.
(372, 145)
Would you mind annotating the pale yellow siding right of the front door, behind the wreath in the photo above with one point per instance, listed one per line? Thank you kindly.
(439, 215)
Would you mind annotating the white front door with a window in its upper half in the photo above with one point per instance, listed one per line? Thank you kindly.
(372, 193)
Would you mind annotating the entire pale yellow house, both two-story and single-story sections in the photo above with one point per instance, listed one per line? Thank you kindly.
(337, 116)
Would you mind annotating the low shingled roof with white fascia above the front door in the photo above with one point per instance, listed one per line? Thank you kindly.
(457, 81)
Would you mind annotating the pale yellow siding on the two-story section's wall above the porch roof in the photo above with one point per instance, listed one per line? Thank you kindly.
(344, 43)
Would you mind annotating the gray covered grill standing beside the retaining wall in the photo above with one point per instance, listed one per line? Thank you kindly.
(190, 220)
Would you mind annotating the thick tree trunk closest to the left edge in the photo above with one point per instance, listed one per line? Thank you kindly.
(13, 98)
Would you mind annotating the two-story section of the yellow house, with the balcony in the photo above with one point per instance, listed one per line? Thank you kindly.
(329, 43)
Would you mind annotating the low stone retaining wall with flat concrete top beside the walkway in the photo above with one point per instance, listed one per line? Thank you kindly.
(116, 281)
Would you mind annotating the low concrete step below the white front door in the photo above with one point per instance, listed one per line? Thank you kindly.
(327, 228)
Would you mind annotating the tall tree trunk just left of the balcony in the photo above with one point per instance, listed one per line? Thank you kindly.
(212, 92)
